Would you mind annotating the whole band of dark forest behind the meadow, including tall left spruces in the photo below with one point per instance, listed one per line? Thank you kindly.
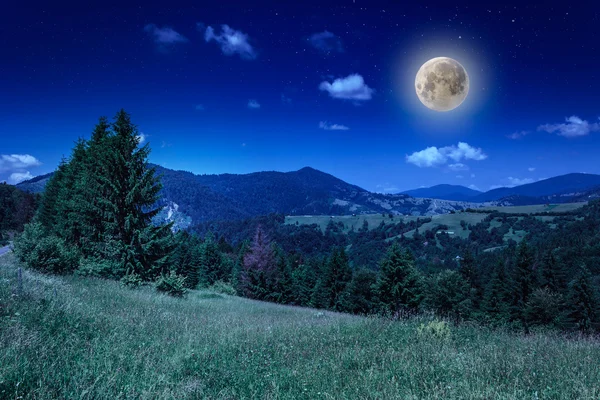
(94, 219)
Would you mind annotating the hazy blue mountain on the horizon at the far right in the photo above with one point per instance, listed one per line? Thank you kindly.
(556, 187)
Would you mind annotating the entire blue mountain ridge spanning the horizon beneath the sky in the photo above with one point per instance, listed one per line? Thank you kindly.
(188, 198)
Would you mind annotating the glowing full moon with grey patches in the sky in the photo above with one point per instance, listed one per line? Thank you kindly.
(442, 84)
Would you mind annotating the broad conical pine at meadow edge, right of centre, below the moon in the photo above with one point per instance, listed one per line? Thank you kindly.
(398, 286)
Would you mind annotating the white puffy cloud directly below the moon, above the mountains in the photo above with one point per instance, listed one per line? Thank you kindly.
(434, 157)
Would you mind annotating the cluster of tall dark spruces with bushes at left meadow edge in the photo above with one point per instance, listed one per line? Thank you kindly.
(95, 213)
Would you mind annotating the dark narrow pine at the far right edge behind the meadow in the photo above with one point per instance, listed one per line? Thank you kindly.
(583, 304)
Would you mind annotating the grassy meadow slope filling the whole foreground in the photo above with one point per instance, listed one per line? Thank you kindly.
(73, 337)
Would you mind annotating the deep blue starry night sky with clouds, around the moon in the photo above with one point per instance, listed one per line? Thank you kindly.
(248, 86)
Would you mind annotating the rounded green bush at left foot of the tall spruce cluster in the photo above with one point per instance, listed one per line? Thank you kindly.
(52, 254)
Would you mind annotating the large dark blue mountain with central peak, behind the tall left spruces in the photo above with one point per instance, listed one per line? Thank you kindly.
(188, 198)
